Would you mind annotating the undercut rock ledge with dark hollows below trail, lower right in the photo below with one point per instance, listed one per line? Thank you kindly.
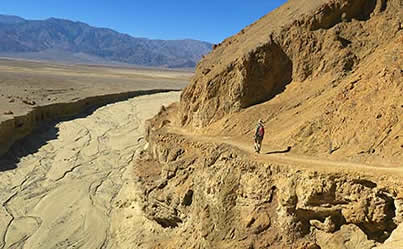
(327, 203)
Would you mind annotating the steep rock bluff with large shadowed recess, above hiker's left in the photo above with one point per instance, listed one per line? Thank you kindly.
(251, 79)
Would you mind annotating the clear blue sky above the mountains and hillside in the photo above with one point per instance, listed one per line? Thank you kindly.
(206, 20)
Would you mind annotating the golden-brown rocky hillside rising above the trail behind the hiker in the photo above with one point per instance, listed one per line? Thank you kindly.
(325, 76)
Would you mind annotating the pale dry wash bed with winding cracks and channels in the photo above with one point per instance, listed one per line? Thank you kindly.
(67, 193)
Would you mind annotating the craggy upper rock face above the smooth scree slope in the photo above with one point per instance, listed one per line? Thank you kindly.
(297, 42)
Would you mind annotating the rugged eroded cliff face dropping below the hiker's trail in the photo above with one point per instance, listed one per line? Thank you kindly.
(211, 195)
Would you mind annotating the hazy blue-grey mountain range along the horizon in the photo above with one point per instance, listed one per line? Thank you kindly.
(64, 40)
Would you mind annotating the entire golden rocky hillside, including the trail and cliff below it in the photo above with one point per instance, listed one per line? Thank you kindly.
(325, 76)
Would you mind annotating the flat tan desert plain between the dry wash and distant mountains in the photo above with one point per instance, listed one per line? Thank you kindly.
(25, 85)
